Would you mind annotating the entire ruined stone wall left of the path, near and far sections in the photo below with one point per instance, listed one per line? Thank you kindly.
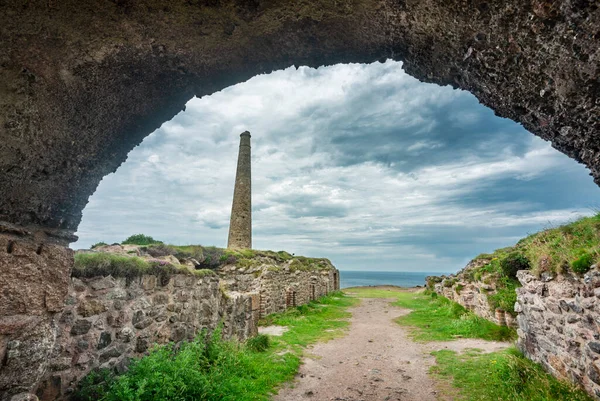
(107, 320)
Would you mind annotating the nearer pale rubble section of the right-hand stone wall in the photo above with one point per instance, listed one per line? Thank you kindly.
(559, 325)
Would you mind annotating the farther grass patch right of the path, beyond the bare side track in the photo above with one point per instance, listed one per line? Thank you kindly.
(435, 318)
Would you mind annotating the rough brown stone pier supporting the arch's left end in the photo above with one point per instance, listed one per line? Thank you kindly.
(34, 279)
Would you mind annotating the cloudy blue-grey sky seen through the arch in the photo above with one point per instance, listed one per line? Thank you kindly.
(362, 164)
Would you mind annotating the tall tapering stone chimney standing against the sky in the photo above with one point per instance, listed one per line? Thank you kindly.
(240, 226)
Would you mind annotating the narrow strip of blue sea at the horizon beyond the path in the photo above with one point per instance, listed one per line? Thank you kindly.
(402, 279)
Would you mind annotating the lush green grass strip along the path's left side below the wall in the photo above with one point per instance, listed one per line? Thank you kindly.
(210, 368)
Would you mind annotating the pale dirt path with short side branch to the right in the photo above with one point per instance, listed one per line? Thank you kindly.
(375, 361)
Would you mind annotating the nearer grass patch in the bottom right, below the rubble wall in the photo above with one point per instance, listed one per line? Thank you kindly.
(504, 375)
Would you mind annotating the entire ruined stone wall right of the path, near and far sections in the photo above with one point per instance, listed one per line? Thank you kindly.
(558, 319)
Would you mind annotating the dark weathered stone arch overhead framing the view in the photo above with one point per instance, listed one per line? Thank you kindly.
(83, 81)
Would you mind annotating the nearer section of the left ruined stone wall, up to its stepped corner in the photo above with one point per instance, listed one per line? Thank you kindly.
(108, 320)
